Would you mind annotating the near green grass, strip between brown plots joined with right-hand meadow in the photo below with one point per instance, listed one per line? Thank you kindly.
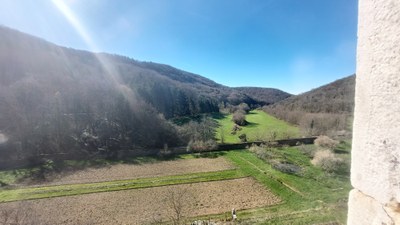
(311, 197)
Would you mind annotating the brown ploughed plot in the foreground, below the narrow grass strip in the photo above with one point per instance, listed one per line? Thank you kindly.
(148, 205)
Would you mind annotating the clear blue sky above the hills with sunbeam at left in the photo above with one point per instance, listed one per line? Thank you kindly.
(293, 45)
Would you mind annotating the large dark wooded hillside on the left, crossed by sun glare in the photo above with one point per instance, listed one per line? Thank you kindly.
(59, 100)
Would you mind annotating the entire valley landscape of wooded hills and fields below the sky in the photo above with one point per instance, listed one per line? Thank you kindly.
(68, 116)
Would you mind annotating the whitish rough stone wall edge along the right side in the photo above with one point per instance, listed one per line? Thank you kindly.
(375, 169)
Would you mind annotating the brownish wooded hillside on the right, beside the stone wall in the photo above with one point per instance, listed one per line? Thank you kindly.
(321, 110)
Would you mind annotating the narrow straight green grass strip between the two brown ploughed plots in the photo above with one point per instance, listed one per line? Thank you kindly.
(118, 185)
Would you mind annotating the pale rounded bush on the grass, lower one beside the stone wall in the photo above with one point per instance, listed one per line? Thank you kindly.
(329, 162)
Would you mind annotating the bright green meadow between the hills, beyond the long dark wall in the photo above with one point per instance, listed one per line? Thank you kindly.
(261, 127)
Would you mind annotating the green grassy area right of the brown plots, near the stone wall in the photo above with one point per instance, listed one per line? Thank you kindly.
(323, 199)
